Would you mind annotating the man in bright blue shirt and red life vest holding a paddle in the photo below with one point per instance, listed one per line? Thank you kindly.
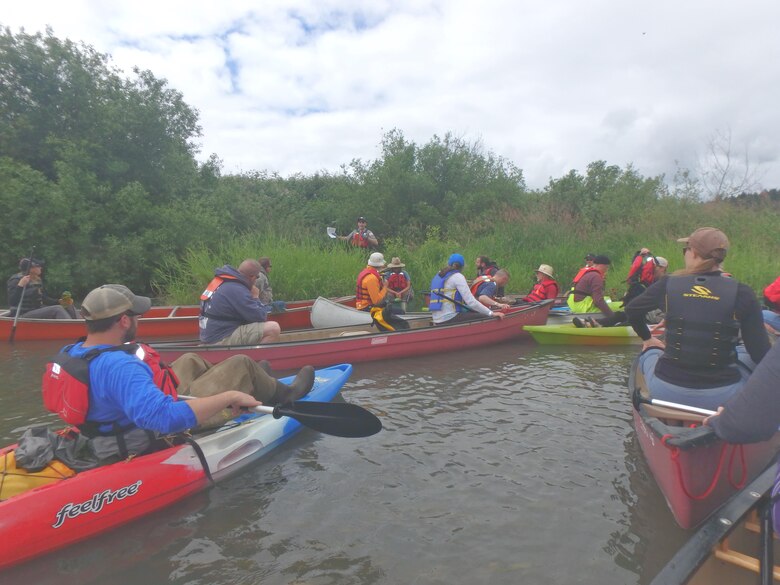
(108, 386)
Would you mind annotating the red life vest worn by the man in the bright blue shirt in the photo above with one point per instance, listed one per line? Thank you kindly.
(66, 380)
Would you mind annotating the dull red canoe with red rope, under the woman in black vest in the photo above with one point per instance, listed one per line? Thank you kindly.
(695, 470)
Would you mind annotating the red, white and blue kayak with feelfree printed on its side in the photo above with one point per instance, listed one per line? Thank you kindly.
(70, 510)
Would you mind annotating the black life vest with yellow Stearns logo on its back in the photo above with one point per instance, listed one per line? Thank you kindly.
(701, 326)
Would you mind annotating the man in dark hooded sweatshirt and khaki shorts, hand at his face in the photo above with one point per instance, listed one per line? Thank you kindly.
(231, 312)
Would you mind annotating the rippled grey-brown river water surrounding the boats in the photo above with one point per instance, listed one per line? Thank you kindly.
(512, 464)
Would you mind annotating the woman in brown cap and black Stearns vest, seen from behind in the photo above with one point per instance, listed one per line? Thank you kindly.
(700, 364)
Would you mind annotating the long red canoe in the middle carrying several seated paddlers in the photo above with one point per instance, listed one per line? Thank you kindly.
(319, 347)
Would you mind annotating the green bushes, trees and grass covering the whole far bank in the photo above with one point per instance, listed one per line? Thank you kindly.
(100, 173)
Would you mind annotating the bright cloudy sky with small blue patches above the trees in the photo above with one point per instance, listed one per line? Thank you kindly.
(301, 86)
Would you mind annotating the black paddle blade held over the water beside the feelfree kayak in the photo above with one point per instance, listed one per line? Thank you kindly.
(338, 419)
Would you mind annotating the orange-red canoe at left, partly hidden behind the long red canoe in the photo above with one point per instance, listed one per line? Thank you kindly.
(181, 321)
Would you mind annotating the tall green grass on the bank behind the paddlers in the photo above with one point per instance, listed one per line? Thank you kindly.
(307, 268)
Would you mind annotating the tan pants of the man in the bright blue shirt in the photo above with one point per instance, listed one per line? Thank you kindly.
(199, 378)
